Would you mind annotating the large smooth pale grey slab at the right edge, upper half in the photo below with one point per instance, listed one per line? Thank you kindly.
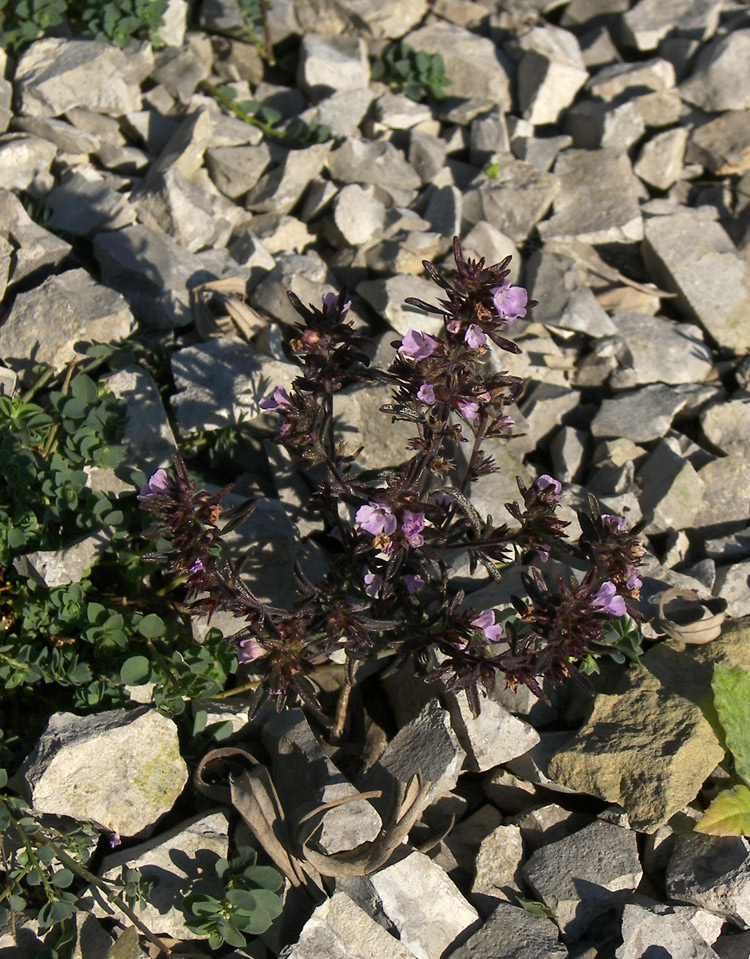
(694, 258)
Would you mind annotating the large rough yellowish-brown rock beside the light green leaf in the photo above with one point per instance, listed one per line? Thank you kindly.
(618, 754)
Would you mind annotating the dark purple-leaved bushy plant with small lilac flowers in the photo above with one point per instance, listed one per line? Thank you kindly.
(388, 586)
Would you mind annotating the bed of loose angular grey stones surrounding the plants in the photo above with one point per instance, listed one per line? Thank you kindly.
(607, 147)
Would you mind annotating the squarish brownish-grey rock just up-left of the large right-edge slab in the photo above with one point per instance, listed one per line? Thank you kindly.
(586, 207)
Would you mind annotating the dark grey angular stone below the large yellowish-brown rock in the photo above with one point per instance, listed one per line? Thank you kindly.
(585, 875)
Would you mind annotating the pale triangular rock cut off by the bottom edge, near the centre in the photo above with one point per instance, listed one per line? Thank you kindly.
(339, 928)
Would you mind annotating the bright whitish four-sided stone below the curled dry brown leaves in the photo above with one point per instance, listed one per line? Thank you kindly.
(420, 900)
